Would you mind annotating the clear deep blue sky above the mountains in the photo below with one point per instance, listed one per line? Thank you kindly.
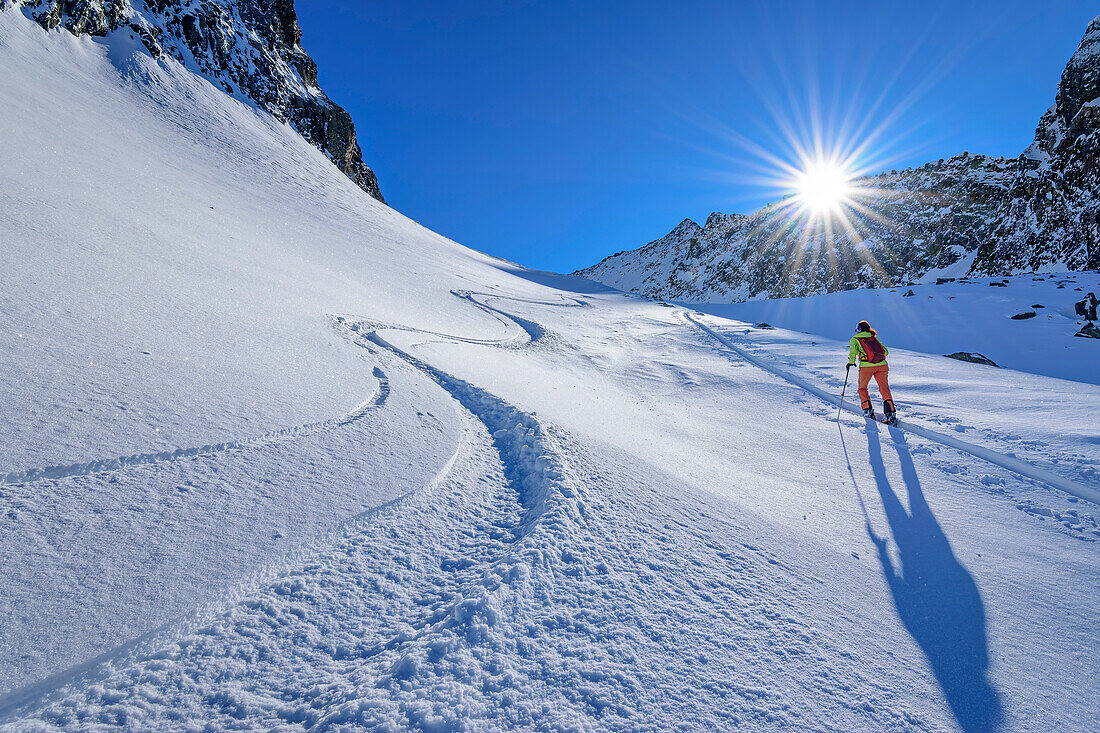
(556, 134)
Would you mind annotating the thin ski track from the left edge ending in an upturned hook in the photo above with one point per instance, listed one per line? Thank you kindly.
(105, 465)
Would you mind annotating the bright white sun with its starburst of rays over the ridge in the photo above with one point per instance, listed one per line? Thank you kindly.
(821, 148)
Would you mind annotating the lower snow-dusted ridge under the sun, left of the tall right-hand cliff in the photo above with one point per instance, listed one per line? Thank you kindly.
(911, 222)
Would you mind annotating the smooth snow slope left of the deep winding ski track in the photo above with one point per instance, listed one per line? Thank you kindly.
(173, 266)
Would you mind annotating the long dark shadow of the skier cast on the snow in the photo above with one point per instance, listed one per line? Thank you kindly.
(937, 598)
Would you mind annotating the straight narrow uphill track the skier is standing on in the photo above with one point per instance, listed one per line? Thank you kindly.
(1009, 463)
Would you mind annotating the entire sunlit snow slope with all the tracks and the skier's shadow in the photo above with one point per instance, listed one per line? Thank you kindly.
(366, 478)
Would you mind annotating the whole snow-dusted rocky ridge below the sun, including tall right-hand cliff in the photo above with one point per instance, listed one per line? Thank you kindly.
(969, 214)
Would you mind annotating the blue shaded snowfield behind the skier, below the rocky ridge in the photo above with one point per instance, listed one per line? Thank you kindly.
(972, 316)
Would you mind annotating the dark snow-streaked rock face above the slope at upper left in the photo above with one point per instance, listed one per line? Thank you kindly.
(249, 48)
